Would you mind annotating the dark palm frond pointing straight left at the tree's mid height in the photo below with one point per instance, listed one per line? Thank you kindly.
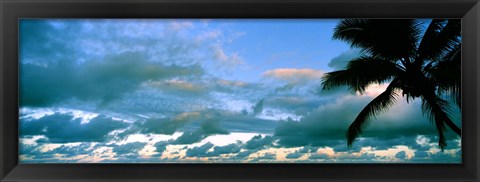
(360, 73)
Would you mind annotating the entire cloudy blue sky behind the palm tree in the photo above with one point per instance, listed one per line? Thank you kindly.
(204, 91)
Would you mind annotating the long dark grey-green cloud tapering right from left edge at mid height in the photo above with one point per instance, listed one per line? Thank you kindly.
(95, 81)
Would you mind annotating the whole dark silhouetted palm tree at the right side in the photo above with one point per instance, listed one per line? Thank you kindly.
(418, 64)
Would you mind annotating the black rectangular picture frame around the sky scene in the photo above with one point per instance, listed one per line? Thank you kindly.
(12, 10)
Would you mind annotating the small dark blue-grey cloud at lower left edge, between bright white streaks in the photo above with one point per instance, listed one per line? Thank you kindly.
(62, 128)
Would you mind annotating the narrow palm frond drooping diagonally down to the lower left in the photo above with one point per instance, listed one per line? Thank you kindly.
(381, 103)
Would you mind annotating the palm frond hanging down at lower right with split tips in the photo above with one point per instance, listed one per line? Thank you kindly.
(436, 109)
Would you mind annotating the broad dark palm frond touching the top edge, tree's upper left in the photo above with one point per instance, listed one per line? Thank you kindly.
(392, 39)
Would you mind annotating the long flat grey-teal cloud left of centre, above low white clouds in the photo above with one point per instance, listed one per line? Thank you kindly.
(198, 125)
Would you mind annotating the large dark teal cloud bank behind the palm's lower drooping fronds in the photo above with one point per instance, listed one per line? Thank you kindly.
(327, 125)
